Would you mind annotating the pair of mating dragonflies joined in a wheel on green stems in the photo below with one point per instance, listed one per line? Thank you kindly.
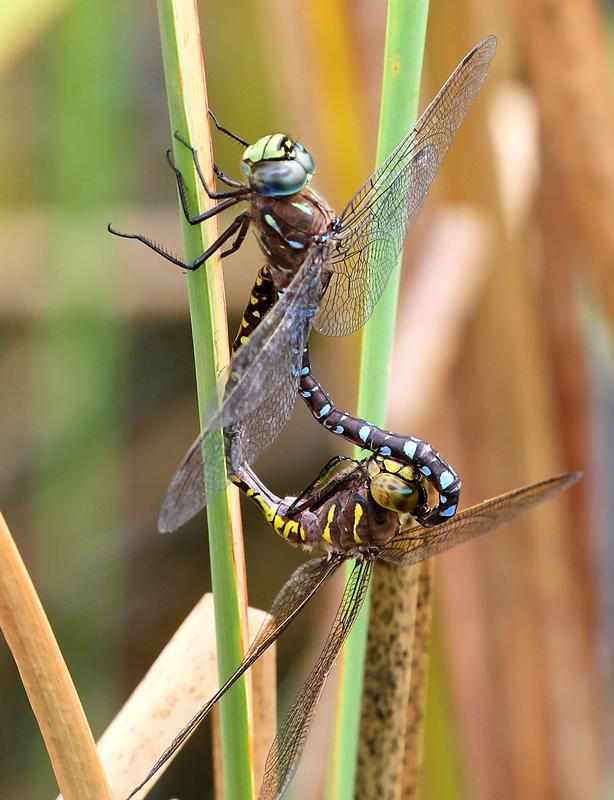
(328, 272)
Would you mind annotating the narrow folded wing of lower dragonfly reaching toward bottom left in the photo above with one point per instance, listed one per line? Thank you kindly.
(291, 599)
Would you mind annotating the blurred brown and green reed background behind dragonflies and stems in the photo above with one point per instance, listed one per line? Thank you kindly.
(504, 362)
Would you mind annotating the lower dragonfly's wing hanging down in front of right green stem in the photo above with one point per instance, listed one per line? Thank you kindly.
(288, 745)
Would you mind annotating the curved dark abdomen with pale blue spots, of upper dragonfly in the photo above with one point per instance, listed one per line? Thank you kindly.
(404, 449)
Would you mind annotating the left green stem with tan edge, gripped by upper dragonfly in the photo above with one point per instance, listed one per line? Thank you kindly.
(188, 114)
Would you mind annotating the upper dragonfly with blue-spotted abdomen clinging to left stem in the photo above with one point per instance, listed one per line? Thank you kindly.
(322, 270)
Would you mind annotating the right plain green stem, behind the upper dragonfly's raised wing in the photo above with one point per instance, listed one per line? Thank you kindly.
(405, 36)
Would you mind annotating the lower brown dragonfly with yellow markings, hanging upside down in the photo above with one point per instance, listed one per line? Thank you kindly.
(359, 511)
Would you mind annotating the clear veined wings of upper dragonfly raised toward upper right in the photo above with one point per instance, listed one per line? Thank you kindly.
(375, 222)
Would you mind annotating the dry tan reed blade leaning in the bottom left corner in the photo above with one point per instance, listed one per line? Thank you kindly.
(47, 681)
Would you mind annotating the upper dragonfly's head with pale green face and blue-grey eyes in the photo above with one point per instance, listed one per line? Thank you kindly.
(277, 165)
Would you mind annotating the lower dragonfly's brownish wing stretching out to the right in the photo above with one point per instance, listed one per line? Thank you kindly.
(417, 543)
